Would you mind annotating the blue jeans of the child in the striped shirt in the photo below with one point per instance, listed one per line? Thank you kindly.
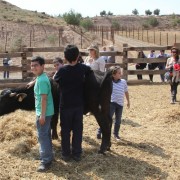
(117, 110)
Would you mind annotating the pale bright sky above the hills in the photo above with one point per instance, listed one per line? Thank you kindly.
(93, 8)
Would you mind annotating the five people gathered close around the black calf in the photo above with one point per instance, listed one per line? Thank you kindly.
(70, 78)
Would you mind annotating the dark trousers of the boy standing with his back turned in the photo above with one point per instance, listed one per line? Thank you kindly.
(71, 119)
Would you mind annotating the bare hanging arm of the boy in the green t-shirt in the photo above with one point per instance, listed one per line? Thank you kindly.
(43, 109)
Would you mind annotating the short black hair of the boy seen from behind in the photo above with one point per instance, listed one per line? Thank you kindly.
(71, 53)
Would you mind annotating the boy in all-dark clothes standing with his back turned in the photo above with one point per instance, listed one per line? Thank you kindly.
(71, 79)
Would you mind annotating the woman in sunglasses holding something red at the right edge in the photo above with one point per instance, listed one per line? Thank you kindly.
(173, 66)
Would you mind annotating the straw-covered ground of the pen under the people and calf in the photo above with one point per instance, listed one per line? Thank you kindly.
(149, 146)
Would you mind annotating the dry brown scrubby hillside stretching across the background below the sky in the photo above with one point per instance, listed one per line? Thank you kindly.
(19, 27)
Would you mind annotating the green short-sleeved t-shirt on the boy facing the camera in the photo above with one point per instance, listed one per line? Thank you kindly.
(43, 86)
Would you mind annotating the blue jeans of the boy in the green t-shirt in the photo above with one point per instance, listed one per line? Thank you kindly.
(44, 139)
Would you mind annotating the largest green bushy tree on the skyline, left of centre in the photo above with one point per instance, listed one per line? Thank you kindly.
(72, 18)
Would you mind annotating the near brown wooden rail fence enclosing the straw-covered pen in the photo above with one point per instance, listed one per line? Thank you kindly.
(24, 66)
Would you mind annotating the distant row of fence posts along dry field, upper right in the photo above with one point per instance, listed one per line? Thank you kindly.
(151, 36)
